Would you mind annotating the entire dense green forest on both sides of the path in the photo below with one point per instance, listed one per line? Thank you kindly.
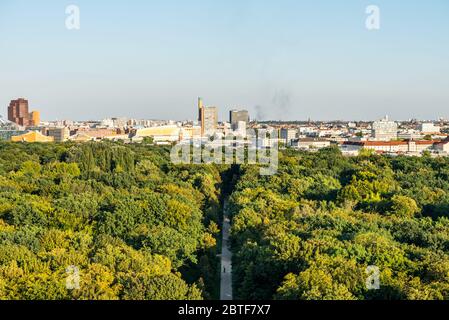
(137, 227)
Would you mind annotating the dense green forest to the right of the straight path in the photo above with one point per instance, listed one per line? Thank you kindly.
(311, 231)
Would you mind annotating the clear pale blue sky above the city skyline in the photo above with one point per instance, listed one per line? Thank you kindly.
(284, 59)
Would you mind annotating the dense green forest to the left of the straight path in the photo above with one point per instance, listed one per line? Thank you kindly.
(133, 225)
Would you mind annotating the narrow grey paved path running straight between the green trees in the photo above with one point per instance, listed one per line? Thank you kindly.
(226, 259)
